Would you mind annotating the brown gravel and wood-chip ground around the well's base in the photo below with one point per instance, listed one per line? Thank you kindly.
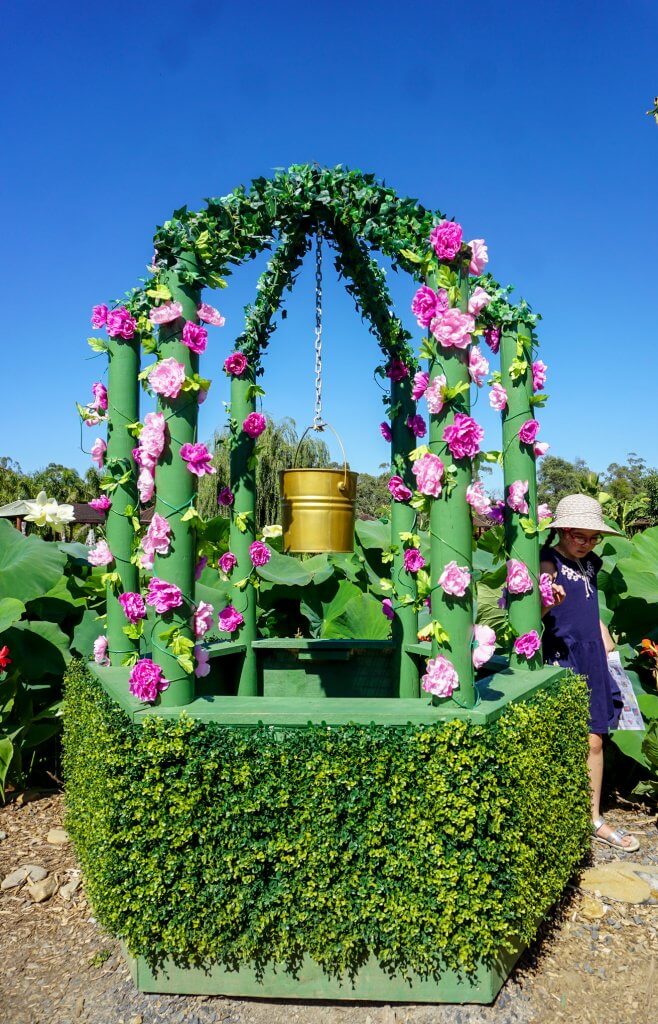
(597, 961)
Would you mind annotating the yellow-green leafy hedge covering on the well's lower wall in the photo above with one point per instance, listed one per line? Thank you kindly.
(428, 847)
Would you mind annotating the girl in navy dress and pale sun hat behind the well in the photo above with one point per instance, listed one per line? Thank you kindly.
(576, 637)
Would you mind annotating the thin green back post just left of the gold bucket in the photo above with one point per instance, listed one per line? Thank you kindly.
(243, 483)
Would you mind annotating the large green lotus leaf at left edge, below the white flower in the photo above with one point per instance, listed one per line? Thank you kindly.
(29, 567)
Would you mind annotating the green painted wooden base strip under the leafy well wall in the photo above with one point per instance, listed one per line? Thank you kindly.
(371, 985)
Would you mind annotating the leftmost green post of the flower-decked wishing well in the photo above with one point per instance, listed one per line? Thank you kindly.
(123, 408)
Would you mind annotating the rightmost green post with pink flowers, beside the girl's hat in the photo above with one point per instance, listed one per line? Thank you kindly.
(519, 464)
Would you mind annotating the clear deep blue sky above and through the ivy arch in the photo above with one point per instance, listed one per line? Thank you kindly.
(524, 121)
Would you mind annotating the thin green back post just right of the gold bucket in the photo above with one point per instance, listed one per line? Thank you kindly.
(406, 624)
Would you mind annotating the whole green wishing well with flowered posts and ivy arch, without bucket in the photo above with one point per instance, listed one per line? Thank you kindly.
(322, 818)
